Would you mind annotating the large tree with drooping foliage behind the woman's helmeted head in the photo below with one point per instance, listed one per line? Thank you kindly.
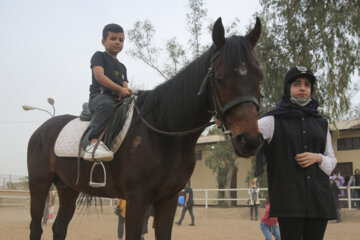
(323, 35)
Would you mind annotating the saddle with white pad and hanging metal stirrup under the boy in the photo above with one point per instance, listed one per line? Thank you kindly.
(74, 137)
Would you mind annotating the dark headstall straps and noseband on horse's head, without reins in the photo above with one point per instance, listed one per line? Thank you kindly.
(219, 110)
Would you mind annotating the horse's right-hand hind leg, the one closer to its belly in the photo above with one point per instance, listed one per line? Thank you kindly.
(67, 204)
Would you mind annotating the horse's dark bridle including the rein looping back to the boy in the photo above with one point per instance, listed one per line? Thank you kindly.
(219, 110)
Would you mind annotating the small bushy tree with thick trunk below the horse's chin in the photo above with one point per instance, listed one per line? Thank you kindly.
(221, 161)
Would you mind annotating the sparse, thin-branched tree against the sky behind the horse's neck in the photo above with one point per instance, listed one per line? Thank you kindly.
(142, 35)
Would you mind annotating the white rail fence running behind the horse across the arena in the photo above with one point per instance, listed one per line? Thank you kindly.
(22, 198)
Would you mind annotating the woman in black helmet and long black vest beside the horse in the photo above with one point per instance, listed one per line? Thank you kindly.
(300, 159)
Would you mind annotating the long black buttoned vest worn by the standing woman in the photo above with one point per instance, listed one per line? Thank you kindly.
(295, 191)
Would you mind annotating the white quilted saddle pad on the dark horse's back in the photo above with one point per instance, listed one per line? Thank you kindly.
(68, 142)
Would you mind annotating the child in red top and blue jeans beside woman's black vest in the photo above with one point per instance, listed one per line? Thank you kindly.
(269, 225)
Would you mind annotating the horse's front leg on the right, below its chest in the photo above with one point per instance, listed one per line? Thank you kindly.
(164, 217)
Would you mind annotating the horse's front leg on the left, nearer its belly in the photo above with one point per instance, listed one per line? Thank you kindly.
(135, 216)
